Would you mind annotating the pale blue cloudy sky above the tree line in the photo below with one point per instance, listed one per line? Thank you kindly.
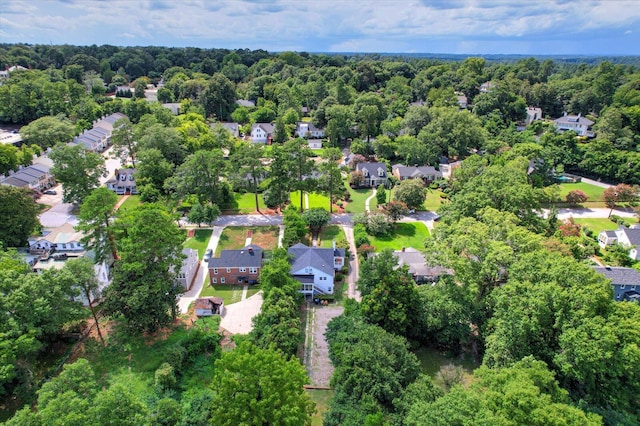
(542, 27)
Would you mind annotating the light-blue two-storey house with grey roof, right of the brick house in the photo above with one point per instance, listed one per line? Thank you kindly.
(315, 267)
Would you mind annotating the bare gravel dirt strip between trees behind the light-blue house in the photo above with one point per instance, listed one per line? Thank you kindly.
(317, 360)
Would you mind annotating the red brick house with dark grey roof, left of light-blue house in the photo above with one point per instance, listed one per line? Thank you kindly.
(236, 266)
